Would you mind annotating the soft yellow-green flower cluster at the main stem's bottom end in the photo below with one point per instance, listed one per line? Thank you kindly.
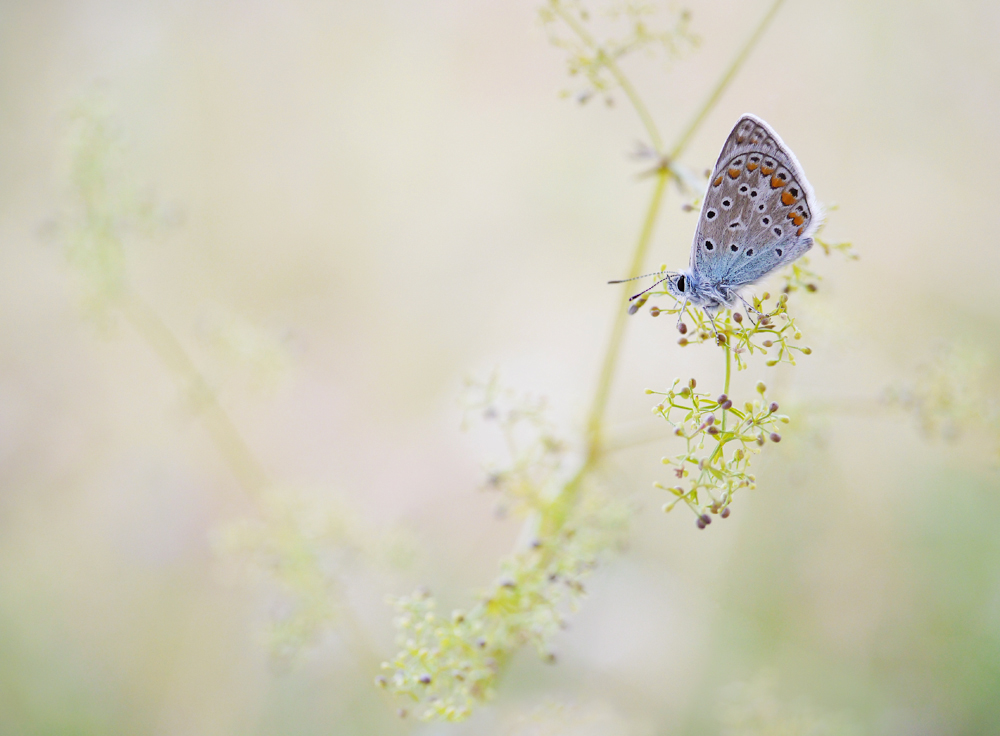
(447, 664)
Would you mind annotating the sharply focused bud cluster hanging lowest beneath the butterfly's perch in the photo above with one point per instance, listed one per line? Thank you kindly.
(720, 439)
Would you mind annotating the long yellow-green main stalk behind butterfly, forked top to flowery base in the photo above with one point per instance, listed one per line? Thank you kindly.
(449, 665)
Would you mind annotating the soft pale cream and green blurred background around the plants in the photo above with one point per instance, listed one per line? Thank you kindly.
(383, 197)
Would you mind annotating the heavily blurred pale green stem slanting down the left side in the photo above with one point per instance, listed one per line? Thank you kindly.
(101, 216)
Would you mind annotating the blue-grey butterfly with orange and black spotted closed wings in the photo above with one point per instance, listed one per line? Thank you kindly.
(758, 215)
